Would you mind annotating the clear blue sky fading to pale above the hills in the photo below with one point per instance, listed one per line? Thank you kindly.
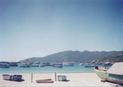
(36, 28)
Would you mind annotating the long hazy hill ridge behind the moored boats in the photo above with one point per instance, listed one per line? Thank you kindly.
(73, 57)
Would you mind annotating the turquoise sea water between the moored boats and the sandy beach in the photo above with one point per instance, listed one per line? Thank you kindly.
(48, 69)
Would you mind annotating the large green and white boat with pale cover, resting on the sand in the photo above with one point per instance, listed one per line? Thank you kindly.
(113, 74)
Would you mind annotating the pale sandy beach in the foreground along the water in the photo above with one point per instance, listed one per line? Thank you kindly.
(75, 80)
